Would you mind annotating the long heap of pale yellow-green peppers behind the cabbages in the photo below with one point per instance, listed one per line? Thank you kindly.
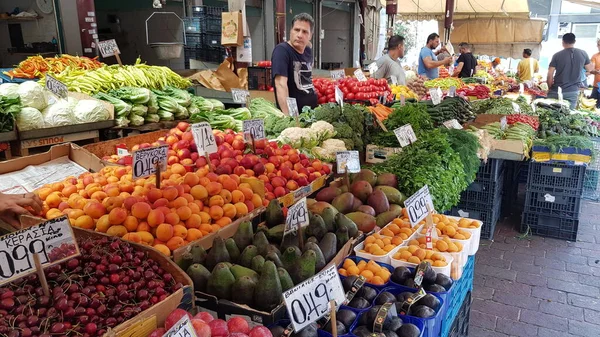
(114, 77)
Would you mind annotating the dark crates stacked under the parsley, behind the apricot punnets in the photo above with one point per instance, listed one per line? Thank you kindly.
(483, 198)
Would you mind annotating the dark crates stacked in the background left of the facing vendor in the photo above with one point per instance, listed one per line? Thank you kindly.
(203, 35)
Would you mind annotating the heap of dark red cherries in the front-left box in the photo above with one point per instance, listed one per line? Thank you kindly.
(108, 284)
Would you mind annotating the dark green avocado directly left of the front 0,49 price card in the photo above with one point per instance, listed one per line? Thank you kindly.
(267, 294)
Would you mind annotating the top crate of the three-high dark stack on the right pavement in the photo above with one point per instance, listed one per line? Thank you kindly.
(555, 175)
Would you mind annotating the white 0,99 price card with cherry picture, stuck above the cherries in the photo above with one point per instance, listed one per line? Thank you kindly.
(52, 240)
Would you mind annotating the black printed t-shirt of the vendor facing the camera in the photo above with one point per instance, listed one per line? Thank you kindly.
(286, 61)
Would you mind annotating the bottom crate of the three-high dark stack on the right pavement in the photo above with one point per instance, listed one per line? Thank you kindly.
(550, 226)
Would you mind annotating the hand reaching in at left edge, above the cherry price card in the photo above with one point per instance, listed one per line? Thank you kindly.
(12, 206)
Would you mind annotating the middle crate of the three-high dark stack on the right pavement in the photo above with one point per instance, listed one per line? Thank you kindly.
(556, 204)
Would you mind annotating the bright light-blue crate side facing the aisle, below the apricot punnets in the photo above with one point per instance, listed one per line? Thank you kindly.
(460, 289)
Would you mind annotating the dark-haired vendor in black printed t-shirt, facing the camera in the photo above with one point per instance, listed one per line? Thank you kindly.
(292, 63)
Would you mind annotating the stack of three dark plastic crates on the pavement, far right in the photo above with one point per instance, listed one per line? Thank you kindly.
(553, 200)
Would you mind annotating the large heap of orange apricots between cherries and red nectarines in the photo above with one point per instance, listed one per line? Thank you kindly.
(188, 205)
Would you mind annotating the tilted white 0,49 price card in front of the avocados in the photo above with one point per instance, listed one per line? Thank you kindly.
(309, 300)
